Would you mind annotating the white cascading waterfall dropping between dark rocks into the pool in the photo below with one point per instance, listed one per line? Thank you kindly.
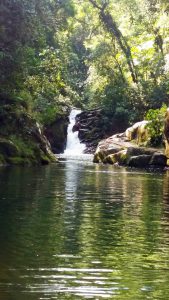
(73, 147)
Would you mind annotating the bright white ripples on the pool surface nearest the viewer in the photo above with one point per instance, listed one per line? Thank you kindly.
(81, 282)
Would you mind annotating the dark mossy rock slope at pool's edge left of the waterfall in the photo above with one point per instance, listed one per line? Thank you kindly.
(21, 138)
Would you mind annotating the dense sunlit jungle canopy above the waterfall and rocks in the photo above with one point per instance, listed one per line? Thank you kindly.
(112, 54)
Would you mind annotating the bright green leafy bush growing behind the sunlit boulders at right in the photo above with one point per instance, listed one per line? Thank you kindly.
(156, 124)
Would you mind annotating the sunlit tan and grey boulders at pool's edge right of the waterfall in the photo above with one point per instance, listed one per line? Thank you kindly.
(124, 149)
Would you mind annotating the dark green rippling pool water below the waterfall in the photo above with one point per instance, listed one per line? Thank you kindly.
(83, 231)
